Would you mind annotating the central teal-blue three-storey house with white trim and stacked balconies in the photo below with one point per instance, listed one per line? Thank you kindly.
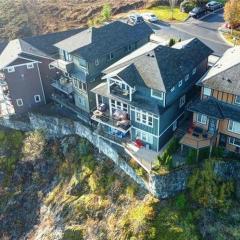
(144, 95)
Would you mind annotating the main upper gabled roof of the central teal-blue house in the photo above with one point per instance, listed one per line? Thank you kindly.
(162, 67)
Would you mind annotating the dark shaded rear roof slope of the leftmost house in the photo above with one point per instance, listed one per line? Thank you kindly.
(46, 42)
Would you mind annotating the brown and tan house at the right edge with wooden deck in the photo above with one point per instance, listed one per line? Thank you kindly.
(216, 115)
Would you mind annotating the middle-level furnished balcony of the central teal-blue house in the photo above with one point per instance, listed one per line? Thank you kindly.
(118, 121)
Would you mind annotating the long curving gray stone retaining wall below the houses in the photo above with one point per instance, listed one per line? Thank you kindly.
(160, 186)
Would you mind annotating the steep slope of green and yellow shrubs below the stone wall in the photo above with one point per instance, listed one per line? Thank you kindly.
(65, 190)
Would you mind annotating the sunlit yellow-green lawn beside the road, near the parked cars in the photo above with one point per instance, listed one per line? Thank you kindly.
(164, 13)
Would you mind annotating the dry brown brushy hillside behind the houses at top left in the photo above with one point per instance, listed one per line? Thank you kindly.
(29, 17)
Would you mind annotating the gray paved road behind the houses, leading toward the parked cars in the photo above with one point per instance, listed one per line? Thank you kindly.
(206, 30)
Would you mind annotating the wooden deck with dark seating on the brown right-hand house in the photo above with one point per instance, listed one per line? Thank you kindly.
(197, 138)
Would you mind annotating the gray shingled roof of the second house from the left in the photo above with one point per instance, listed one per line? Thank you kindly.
(94, 42)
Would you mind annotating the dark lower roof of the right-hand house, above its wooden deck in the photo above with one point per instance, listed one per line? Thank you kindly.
(216, 109)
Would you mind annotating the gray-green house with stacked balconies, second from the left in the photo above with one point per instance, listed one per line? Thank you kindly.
(84, 56)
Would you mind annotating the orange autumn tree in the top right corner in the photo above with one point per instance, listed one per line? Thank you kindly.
(232, 13)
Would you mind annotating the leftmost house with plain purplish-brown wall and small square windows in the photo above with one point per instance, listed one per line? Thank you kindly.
(24, 72)
